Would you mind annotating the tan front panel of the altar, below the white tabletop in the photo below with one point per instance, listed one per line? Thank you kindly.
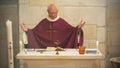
(61, 63)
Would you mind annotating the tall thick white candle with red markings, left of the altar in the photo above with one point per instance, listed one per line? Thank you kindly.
(10, 43)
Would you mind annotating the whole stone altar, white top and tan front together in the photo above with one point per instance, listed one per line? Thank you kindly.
(69, 58)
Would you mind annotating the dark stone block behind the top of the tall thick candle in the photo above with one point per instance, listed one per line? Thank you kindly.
(12, 18)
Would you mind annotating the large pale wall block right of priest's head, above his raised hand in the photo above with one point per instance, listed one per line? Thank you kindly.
(92, 15)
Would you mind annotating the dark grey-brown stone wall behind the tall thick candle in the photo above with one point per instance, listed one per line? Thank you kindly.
(8, 10)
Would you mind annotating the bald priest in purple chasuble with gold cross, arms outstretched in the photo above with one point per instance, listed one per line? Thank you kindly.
(52, 29)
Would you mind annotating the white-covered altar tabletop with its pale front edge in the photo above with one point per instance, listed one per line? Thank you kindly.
(67, 54)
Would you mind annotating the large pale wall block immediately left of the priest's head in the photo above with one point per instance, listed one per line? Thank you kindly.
(32, 15)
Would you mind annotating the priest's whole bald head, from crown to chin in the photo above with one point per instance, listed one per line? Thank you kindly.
(52, 11)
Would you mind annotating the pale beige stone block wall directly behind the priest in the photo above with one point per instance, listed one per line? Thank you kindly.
(73, 11)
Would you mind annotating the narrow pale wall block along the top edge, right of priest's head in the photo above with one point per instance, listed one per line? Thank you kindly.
(81, 2)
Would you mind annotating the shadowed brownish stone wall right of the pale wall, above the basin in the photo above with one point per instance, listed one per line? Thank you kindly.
(113, 32)
